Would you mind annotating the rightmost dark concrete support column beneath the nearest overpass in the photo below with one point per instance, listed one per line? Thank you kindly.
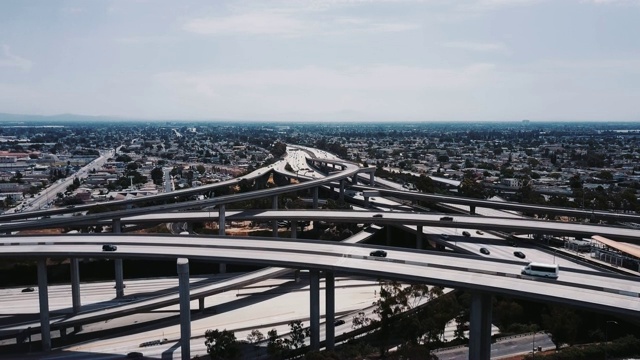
(480, 327)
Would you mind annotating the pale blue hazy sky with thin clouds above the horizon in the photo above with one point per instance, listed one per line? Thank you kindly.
(323, 60)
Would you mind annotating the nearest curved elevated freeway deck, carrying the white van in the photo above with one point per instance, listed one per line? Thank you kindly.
(609, 293)
